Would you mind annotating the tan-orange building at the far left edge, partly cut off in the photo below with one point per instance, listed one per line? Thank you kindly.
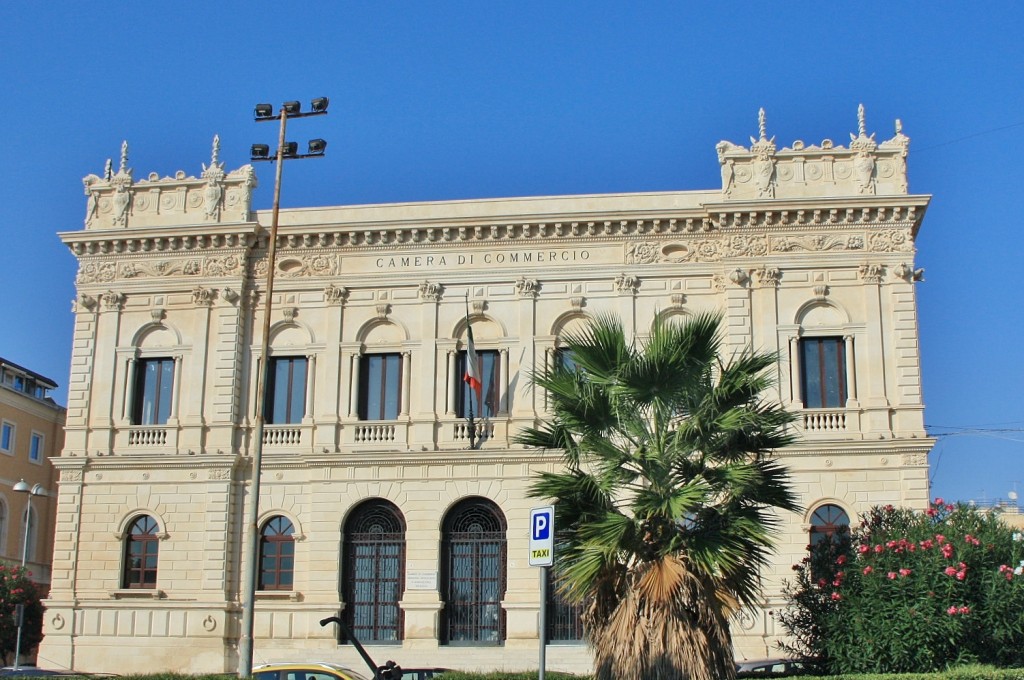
(31, 433)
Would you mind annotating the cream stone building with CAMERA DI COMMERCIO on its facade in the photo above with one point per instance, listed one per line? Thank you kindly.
(372, 502)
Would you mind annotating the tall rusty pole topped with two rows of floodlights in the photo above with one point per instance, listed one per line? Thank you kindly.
(286, 151)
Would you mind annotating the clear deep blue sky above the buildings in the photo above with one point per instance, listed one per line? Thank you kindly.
(471, 100)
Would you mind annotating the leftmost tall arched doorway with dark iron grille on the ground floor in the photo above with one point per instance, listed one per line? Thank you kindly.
(375, 572)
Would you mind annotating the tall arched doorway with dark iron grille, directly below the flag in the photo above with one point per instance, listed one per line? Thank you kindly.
(475, 574)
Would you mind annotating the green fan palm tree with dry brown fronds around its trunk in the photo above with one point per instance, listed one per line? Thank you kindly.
(666, 506)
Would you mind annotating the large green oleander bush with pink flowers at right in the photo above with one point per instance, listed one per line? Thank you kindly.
(912, 592)
